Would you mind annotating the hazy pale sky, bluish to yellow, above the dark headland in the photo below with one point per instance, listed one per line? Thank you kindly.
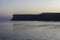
(8, 7)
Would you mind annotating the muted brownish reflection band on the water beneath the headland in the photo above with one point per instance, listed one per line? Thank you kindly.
(29, 26)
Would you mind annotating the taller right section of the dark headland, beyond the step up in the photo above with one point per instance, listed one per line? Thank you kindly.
(50, 17)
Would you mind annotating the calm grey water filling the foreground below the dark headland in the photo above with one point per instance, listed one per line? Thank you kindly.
(29, 30)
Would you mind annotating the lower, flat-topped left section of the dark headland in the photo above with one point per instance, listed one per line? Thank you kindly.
(25, 17)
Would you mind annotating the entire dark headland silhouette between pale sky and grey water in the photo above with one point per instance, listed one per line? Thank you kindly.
(38, 17)
